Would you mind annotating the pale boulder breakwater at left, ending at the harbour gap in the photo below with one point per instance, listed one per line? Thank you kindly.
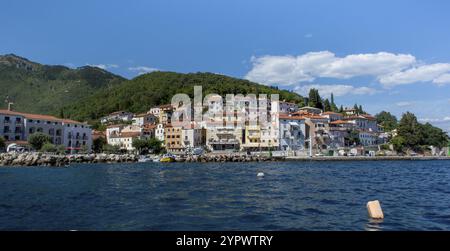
(43, 159)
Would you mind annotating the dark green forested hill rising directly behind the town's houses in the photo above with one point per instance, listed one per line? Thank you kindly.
(145, 91)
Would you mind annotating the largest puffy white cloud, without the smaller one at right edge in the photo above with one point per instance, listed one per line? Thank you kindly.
(290, 70)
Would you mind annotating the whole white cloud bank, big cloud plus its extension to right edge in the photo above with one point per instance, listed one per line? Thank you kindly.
(389, 69)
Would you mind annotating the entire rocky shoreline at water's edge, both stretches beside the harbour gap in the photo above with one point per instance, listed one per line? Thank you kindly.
(54, 160)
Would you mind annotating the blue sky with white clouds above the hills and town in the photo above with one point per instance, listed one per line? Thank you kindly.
(391, 55)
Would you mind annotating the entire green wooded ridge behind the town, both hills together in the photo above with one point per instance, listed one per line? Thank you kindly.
(87, 93)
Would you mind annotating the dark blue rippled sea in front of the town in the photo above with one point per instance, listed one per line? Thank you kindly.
(415, 195)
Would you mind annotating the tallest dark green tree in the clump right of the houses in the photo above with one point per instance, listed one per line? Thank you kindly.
(410, 130)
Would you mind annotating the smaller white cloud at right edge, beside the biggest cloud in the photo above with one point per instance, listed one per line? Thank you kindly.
(424, 73)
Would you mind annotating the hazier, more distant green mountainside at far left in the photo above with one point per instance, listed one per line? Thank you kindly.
(38, 88)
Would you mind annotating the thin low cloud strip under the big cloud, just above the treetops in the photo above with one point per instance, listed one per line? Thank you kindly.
(337, 90)
